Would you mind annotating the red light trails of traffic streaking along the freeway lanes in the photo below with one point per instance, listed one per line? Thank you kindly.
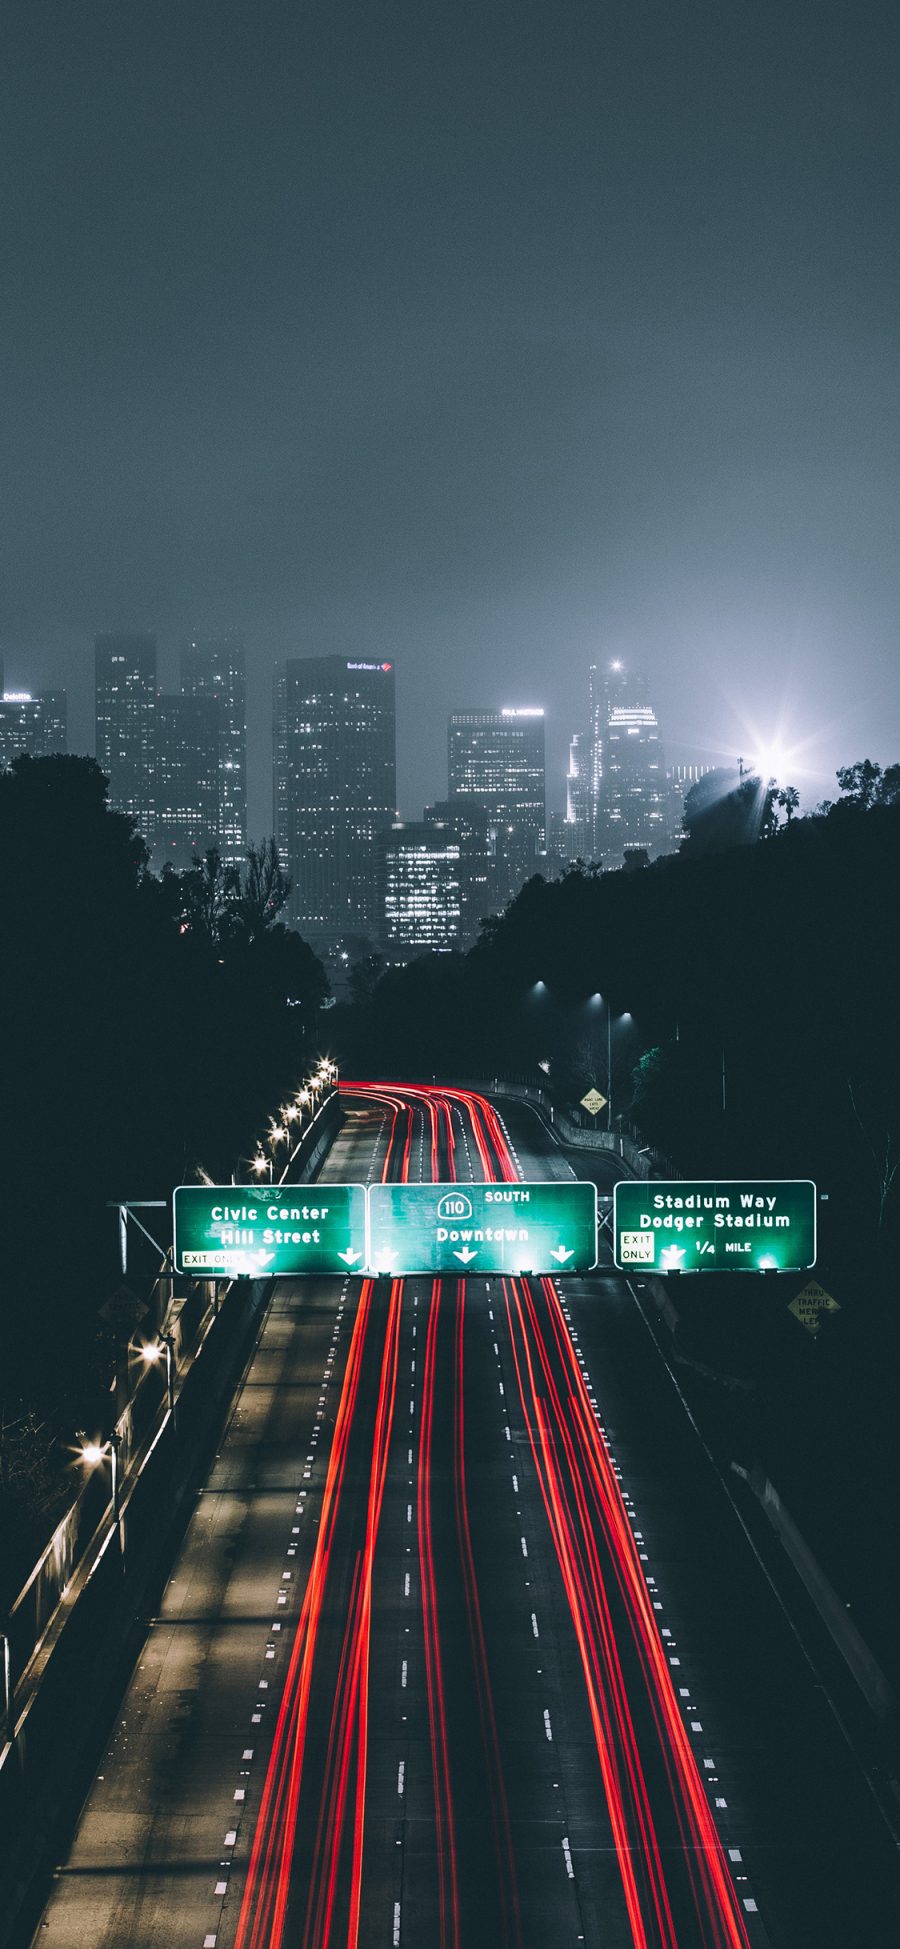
(309, 1858)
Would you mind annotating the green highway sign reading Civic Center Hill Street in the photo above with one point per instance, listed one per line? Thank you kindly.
(270, 1231)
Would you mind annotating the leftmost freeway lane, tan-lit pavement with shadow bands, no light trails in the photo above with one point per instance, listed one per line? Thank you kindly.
(169, 1808)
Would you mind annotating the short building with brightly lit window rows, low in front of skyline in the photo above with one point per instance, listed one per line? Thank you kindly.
(420, 888)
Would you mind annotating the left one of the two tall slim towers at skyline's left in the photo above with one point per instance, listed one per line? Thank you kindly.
(126, 707)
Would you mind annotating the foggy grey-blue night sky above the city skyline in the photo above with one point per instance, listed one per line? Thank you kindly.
(490, 338)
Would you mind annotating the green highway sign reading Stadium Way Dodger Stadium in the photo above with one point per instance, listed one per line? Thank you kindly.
(730, 1227)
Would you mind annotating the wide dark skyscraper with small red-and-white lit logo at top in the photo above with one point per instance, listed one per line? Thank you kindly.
(334, 788)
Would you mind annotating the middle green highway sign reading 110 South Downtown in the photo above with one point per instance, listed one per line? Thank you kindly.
(482, 1229)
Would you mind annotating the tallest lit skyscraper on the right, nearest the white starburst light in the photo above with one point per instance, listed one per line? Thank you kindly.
(628, 783)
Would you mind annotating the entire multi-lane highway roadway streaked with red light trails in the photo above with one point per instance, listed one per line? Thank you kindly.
(465, 1644)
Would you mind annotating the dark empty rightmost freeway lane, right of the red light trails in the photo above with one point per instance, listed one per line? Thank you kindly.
(798, 1810)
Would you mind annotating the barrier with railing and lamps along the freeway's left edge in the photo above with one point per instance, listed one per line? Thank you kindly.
(96, 1576)
